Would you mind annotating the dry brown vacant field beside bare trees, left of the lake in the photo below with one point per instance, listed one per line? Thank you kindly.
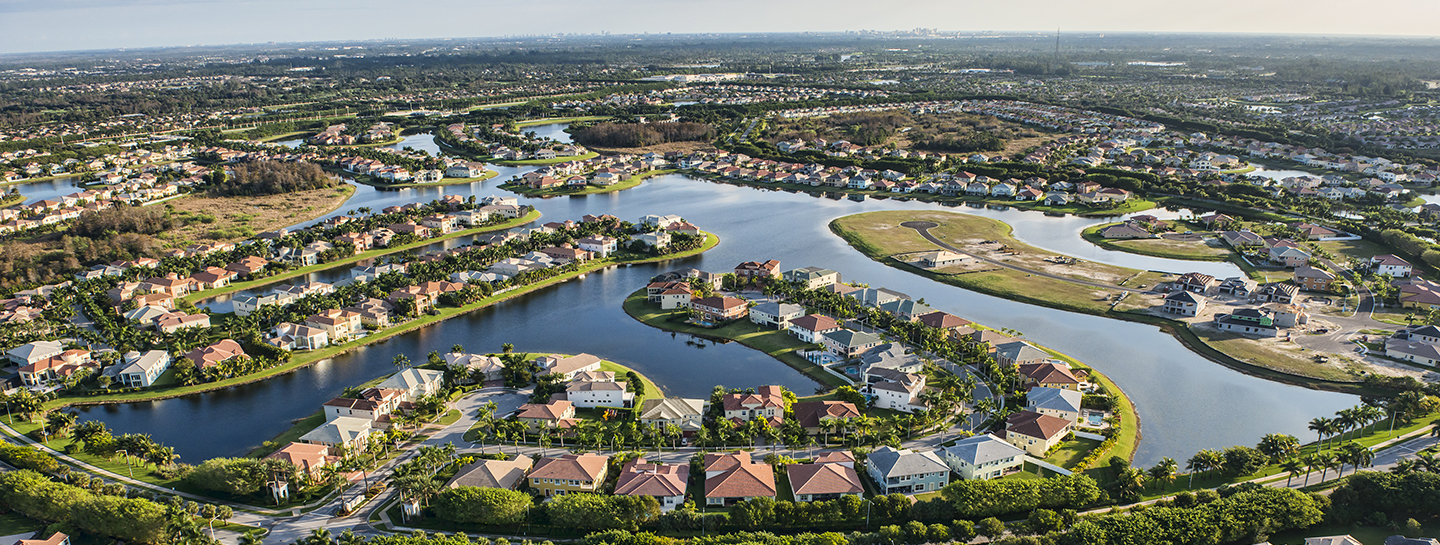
(234, 218)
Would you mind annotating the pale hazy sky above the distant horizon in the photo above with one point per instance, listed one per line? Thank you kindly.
(66, 25)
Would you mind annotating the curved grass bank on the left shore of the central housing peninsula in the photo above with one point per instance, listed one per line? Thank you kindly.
(777, 344)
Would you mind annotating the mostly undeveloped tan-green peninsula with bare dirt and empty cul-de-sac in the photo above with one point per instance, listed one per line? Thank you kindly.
(997, 265)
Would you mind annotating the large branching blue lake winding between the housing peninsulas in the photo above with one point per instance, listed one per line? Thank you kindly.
(1186, 402)
